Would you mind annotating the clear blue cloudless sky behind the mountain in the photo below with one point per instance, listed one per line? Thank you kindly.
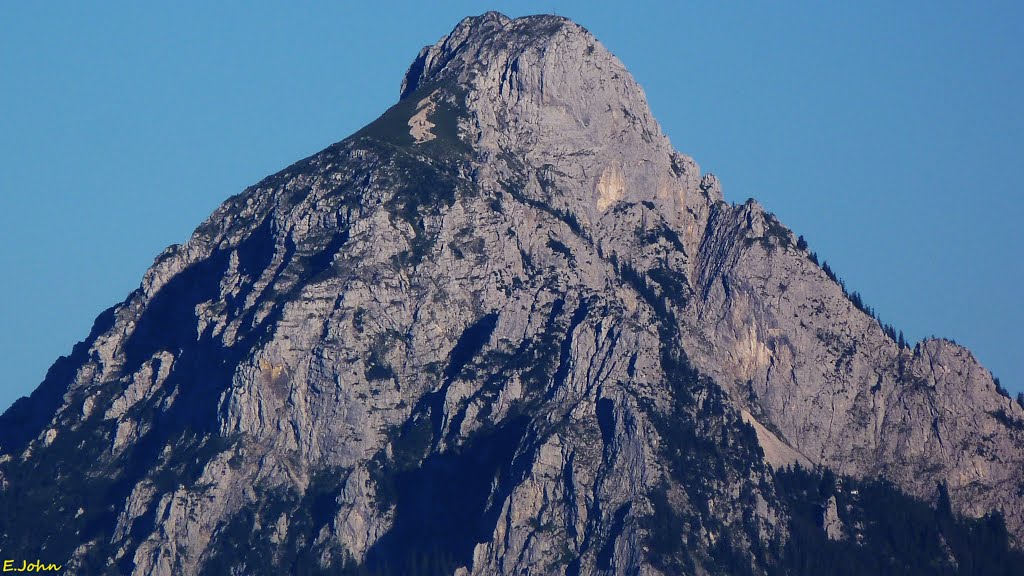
(892, 137)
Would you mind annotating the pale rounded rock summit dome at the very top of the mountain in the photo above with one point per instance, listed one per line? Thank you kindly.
(543, 91)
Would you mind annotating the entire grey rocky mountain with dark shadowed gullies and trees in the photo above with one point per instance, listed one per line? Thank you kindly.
(507, 330)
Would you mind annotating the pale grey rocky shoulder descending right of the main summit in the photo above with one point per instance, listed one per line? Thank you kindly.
(792, 348)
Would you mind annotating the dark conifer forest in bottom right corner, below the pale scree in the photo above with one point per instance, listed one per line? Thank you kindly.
(886, 532)
